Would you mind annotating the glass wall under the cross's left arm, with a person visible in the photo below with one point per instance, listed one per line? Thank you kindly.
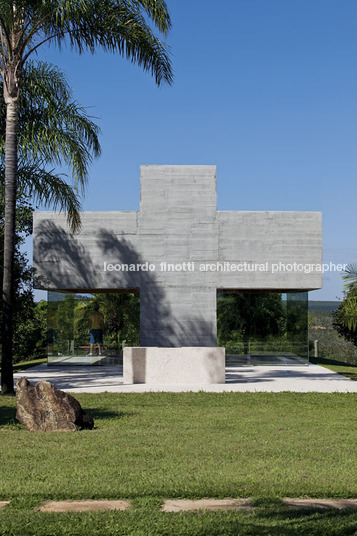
(70, 317)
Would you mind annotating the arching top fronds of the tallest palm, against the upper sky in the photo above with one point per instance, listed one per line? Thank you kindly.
(113, 25)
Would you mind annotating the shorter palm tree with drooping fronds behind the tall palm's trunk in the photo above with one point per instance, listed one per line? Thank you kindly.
(53, 129)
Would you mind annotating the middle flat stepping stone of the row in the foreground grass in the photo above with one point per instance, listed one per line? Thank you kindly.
(186, 505)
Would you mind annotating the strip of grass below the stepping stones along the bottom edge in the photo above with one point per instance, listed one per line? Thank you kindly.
(269, 522)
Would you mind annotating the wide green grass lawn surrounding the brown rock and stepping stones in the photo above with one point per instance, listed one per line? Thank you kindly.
(147, 447)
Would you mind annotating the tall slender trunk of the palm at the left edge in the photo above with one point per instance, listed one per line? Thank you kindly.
(7, 378)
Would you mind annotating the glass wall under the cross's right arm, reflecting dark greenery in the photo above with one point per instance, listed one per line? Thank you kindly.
(258, 328)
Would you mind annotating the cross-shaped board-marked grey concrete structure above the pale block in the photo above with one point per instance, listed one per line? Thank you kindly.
(185, 249)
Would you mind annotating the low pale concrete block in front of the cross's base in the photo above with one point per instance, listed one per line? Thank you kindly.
(186, 365)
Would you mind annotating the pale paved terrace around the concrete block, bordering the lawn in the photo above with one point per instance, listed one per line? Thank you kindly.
(98, 379)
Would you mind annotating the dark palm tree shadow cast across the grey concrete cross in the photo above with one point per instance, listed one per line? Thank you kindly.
(69, 266)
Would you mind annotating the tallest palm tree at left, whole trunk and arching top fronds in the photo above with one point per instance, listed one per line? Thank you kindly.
(113, 25)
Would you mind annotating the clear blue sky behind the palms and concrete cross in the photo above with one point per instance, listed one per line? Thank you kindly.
(264, 89)
